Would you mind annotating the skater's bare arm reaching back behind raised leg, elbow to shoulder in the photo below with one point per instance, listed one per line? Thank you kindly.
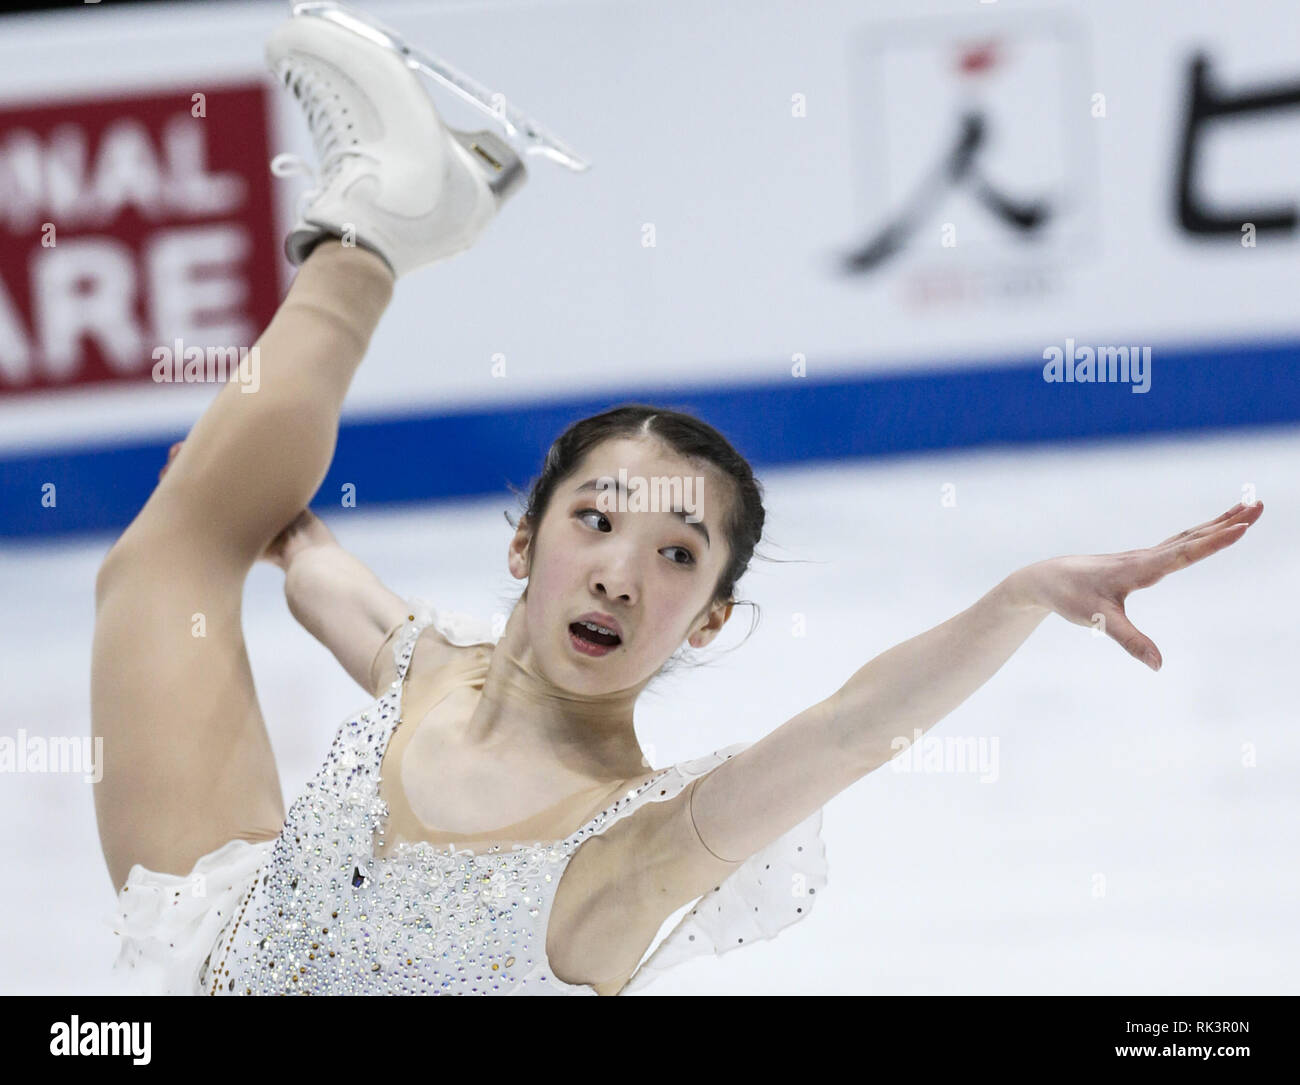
(345, 607)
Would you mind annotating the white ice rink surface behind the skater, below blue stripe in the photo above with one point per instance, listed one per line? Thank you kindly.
(1139, 835)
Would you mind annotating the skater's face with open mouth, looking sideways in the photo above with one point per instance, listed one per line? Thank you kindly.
(610, 542)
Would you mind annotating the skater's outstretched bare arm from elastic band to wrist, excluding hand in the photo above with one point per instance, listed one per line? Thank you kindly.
(774, 785)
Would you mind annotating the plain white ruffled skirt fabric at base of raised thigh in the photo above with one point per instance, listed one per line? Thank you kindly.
(170, 923)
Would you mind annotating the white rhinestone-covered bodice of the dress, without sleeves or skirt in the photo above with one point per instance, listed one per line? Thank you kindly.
(327, 917)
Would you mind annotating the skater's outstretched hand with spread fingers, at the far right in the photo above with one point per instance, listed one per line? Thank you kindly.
(1091, 591)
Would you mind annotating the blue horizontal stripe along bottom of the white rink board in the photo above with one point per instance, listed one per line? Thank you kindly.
(461, 454)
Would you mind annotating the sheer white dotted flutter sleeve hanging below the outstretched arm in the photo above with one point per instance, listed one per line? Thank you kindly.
(773, 889)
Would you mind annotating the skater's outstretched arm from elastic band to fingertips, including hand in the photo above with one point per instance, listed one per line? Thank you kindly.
(775, 784)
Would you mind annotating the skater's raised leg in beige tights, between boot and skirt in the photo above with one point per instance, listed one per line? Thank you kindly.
(188, 762)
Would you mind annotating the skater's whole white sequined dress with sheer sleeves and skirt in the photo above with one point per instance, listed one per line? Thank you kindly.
(314, 912)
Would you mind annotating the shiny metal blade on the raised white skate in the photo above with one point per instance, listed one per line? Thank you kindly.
(536, 138)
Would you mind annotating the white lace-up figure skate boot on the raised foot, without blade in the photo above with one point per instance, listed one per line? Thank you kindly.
(393, 177)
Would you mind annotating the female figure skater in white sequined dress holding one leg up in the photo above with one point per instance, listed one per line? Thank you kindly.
(489, 823)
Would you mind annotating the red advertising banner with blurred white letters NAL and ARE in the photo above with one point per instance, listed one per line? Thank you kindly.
(128, 223)
